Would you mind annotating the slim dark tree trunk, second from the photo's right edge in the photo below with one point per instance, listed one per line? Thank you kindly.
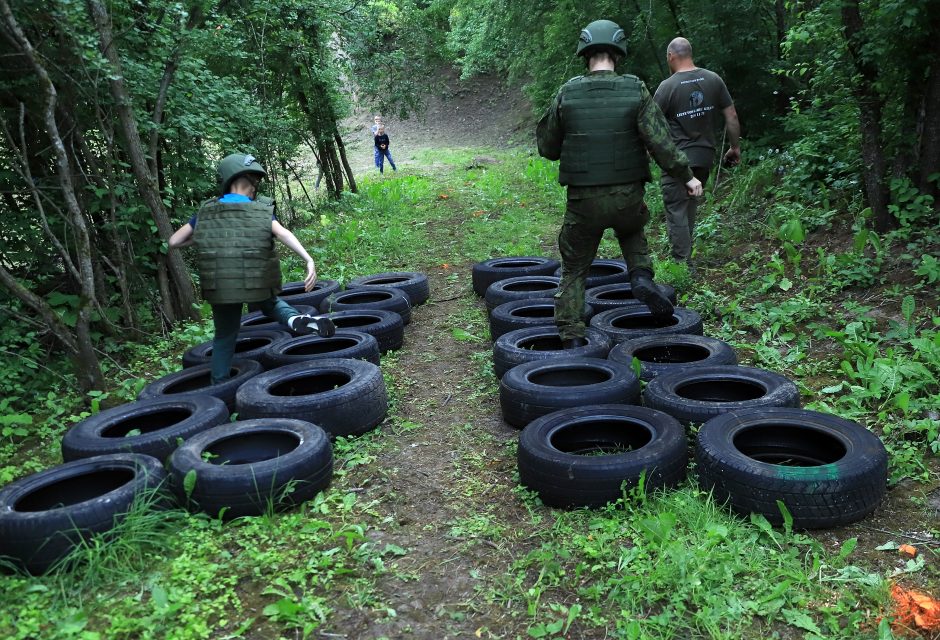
(870, 109)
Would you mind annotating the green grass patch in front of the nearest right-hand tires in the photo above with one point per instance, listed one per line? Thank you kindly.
(703, 573)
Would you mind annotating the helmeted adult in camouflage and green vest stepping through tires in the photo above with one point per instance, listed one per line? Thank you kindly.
(601, 126)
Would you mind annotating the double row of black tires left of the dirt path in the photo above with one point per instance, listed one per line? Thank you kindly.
(291, 394)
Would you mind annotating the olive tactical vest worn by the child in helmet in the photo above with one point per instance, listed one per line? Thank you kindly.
(235, 251)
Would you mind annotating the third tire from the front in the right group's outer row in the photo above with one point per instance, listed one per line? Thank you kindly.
(664, 354)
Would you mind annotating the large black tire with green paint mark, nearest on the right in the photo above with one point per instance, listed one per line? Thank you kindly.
(828, 471)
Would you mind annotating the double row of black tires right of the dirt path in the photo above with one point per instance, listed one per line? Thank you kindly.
(589, 433)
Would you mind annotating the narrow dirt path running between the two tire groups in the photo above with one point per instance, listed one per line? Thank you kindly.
(439, 474)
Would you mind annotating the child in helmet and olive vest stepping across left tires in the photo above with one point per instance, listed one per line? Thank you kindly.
(237, 263)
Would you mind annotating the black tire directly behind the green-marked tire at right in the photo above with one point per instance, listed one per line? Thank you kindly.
(694, 396)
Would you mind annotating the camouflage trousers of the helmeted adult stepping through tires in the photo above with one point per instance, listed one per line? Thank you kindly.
(591, 211)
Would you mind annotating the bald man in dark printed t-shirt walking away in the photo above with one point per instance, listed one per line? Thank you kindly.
(689, 98)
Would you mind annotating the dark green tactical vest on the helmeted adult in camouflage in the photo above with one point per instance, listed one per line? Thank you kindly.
(602, 144)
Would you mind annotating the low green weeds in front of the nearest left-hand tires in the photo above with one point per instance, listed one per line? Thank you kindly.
(168, 574)
